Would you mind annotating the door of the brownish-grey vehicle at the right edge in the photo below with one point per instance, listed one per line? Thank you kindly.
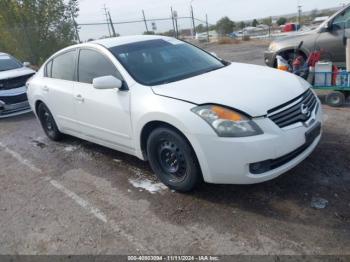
(332, 40)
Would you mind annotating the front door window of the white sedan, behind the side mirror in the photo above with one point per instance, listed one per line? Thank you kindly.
(92, 64)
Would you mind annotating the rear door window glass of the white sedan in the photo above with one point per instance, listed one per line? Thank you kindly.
(63, 66)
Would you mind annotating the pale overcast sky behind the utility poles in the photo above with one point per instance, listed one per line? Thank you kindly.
(125, 10)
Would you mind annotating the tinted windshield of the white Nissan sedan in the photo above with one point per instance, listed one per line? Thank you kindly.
(156, 62)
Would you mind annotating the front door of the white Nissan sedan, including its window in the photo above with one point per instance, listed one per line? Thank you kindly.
(102, 114)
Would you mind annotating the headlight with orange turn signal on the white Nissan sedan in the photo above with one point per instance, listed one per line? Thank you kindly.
(226, 122)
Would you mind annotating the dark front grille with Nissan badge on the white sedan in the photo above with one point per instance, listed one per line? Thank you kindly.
(297, 110)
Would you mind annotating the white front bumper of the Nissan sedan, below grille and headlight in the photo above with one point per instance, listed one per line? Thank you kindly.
(229, 160)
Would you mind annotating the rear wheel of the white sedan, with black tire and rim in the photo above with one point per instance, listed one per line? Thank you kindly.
(48, 123)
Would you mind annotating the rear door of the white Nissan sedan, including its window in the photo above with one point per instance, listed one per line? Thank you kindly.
(57, 89)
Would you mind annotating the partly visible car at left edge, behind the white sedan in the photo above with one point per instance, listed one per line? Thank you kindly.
(13, 78)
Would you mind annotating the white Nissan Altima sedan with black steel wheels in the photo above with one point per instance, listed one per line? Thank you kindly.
(193, 116)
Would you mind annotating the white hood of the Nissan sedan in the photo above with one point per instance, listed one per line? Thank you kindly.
(249, 88)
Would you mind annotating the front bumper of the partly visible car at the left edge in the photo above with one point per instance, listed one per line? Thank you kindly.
(14, 102)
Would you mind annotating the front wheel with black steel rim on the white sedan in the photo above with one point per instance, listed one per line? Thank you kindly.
(173, 160)
